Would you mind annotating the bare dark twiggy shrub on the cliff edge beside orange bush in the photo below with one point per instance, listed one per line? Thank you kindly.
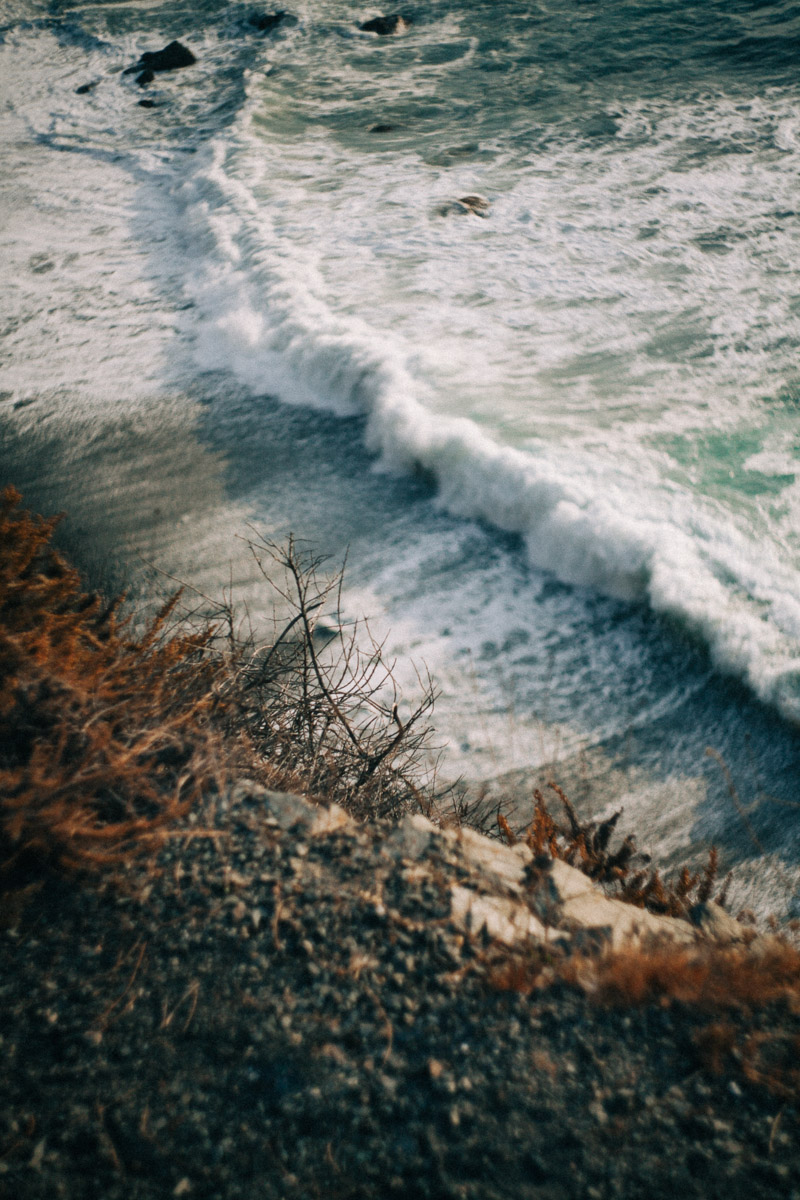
(323, 701)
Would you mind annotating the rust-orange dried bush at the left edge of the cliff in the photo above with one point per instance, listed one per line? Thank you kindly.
(106, 736)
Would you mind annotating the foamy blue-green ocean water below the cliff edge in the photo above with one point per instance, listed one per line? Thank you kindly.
(556, 433)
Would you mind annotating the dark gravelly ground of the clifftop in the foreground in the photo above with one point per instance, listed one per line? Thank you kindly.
(284, 1016)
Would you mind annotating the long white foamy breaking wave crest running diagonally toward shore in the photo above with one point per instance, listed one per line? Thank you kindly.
(593, 523)
